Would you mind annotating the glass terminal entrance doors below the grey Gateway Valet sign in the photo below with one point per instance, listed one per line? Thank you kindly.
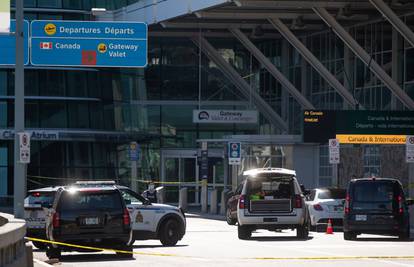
(180, 170)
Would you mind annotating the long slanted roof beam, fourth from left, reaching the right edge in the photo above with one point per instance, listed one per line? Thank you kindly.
(365, 57)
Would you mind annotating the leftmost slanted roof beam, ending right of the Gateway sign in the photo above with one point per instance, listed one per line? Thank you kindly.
(268, 112)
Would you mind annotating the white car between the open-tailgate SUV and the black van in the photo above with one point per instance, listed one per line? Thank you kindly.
(324, 204)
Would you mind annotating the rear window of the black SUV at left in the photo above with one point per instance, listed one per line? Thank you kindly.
(90, 201)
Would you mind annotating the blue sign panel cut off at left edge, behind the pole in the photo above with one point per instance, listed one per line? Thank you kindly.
(8, 45)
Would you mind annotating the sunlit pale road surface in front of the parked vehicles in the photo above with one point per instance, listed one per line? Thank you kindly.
(214, 243)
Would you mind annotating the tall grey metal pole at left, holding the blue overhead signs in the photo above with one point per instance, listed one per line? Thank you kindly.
(19, 168)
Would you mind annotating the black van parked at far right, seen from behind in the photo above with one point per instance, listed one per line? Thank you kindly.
(376, 206)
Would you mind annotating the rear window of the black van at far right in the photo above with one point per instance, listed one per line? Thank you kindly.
(374, 195)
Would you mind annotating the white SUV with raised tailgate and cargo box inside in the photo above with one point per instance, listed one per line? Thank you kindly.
(271, 199)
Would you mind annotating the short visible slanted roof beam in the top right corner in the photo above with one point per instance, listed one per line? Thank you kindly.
(395, 21)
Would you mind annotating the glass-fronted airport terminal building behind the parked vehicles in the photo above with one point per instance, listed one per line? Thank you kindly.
(278, 58)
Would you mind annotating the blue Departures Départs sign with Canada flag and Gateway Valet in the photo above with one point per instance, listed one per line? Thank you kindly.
(89, 44)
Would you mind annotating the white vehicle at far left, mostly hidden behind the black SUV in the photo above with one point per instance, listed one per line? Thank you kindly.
(36, 207)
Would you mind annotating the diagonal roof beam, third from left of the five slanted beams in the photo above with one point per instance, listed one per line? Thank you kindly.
(314, 61)
